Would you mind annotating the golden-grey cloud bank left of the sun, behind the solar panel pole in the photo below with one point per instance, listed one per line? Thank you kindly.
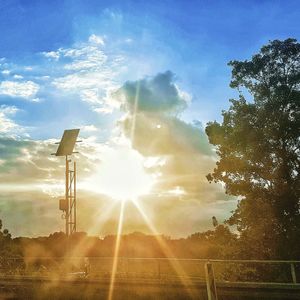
(32, 181)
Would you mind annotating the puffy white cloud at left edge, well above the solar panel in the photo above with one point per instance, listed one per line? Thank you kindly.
(25, 89)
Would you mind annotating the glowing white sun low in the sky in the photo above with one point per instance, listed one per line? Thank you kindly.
(121, 174)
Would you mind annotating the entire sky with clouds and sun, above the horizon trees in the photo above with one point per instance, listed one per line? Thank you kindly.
(140, 79)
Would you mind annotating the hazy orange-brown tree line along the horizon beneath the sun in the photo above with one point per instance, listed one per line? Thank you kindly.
(217, 243)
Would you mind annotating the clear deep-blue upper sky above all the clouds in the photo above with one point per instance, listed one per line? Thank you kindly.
(194, 39)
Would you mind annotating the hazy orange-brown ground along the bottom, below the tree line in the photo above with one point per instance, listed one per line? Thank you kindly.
(77, 278)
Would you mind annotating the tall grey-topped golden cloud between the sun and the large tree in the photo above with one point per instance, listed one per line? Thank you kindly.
(152, 123)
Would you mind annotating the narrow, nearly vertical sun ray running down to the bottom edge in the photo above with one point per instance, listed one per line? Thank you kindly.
(116, 253)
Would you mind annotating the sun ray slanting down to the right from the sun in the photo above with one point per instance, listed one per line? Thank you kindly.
(183, 277)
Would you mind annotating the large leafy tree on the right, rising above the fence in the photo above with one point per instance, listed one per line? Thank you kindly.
(258, 144)
